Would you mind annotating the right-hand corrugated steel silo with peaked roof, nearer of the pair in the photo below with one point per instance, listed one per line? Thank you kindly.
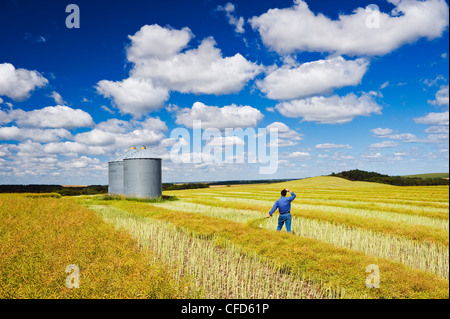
(142, 174)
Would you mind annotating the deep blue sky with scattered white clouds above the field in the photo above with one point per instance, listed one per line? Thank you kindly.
(347, 85)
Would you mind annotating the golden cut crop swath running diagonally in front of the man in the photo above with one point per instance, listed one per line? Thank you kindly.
(333, 267)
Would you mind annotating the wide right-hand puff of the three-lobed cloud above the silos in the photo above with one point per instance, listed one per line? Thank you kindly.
(202, 70)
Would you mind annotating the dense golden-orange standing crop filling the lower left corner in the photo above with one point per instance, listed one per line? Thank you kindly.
(42, 234)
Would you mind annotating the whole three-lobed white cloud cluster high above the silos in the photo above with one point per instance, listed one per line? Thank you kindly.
(162, 63)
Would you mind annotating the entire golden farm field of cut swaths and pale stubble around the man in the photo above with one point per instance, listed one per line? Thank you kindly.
(217, 242)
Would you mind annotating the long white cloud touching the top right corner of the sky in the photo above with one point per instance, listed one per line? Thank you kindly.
(299, 29)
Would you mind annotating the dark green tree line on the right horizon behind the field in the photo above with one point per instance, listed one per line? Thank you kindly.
(359, 175)
